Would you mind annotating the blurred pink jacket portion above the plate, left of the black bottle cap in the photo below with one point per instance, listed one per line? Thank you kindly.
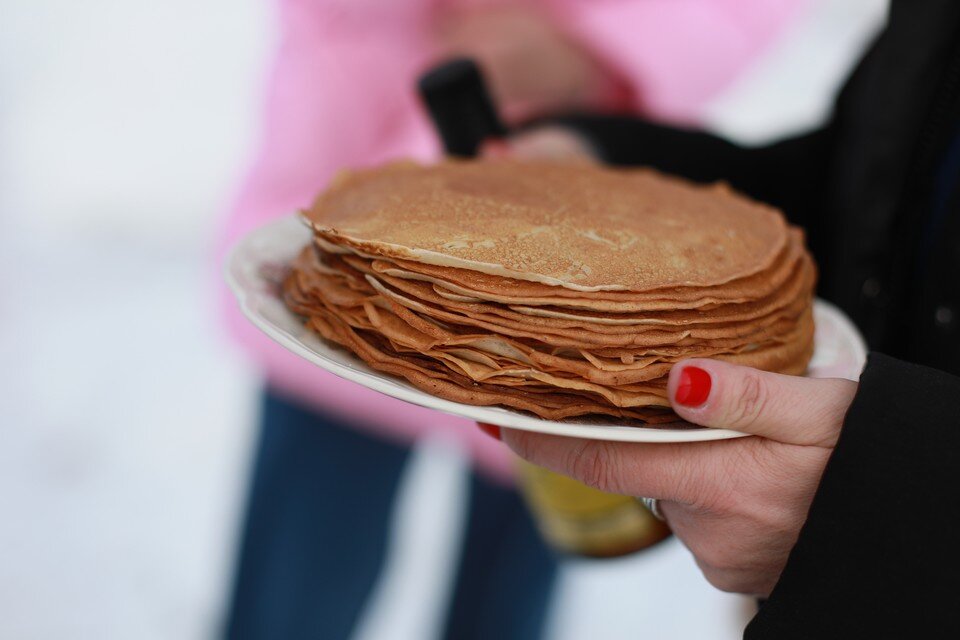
(339, 95)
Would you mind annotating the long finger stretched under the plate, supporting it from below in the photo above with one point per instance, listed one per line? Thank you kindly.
(675, 472)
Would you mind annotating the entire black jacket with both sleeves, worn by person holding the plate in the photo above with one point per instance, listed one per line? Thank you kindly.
(878, 190)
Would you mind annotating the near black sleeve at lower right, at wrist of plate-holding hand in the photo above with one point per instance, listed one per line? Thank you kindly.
(879, 555)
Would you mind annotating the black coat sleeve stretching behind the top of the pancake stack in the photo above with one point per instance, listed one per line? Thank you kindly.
(790, 174)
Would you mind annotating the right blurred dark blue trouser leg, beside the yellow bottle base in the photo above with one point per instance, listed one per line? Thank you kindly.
(506, 576)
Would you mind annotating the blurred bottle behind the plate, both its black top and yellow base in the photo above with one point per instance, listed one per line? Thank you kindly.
(572, 517)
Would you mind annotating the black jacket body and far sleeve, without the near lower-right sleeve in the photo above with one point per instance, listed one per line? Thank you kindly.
(863, 186)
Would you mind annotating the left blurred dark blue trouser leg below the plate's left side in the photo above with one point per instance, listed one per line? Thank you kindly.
(315, 531)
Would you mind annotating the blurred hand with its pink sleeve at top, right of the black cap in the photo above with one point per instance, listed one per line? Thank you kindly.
(663, 58)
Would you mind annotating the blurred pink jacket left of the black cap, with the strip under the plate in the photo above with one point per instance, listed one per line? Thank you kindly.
(339, 95)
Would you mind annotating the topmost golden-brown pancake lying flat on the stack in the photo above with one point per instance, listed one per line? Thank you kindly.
(580, 227)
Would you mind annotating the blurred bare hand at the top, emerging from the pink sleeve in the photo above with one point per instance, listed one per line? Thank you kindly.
(533, 68)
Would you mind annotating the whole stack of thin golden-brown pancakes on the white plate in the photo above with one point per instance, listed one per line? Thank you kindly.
(559, 289)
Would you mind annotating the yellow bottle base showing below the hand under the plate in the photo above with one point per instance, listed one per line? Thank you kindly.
(581, 521)
